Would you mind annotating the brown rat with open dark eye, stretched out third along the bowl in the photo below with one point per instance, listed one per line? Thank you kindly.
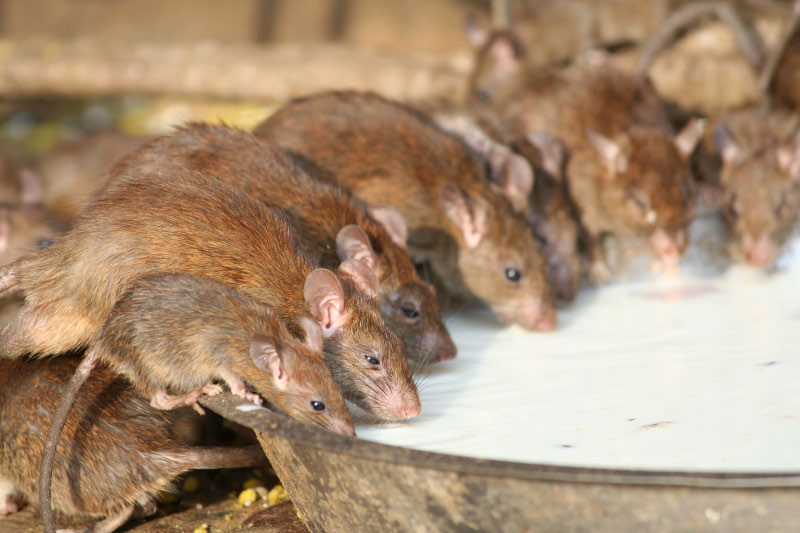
(389, 153)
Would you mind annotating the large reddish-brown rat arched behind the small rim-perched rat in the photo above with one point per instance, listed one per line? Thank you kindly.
(160, 217)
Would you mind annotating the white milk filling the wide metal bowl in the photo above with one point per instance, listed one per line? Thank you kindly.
(699, 372)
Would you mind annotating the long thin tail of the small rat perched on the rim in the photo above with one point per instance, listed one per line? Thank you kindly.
(54, 435)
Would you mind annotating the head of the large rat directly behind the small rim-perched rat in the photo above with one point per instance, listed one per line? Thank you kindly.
(365, 357)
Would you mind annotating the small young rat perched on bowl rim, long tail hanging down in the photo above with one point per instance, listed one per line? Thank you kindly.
(173, 335)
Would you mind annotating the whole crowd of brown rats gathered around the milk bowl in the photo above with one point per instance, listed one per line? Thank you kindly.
(304, 264)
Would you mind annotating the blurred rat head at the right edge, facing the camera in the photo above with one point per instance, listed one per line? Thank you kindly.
(761, 194)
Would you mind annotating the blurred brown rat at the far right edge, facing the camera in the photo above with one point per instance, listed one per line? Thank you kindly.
(760, 180)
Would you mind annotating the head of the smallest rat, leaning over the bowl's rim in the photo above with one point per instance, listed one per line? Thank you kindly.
(305, 389)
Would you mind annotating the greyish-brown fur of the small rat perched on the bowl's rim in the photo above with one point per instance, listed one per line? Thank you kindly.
(178, 333)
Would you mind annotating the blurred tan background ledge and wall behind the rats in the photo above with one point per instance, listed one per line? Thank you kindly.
(71, 66)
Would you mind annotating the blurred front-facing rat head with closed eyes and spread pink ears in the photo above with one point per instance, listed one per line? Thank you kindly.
(646, 175)
